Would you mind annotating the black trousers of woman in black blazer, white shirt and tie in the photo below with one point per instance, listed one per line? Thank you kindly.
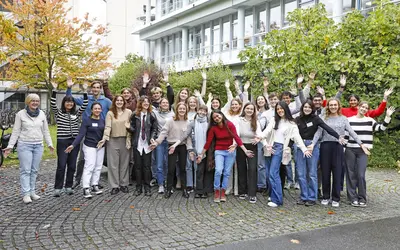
(142, 169)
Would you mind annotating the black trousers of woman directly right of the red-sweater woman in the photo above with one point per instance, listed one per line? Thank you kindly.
(247, 170)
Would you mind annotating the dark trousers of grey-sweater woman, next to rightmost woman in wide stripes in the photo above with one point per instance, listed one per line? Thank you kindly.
(331, 164)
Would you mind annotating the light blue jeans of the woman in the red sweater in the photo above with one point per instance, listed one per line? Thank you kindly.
(223, 165)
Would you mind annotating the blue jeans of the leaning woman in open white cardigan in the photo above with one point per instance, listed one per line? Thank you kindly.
(274, 178)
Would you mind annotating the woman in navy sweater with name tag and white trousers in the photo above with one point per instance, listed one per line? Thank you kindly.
(92, 130)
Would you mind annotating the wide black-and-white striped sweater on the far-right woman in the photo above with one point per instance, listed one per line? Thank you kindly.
(364, 128)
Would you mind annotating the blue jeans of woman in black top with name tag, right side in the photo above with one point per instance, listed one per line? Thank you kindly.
(307, 172)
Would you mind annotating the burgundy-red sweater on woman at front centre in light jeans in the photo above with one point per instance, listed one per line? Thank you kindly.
(222, 136)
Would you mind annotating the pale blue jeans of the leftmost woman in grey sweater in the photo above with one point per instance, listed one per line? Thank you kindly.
(29, 156)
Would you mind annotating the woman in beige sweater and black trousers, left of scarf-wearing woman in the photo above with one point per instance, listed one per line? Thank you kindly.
(178, 148)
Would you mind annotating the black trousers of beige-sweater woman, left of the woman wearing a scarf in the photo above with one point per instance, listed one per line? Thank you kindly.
(180, 153)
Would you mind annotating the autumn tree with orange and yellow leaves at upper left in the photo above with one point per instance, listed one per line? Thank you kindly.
(48, 46)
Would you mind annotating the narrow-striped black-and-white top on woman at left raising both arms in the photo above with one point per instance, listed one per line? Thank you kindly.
(67, 123)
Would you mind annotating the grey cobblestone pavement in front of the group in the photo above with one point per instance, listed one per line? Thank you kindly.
(124, 221)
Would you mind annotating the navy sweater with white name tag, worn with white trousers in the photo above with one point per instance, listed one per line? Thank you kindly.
(92, 130)
